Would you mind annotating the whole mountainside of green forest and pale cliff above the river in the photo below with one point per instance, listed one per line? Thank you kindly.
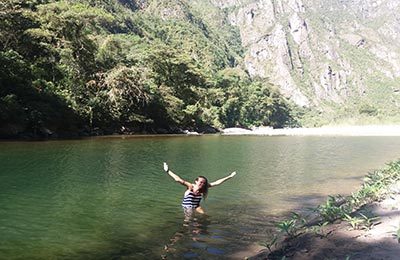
(83, 67)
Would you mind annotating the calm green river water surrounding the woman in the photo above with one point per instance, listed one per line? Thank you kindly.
(110, 198)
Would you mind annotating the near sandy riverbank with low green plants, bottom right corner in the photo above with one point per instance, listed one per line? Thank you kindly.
(337, 240)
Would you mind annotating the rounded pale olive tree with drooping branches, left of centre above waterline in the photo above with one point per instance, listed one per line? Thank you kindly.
(120, 95)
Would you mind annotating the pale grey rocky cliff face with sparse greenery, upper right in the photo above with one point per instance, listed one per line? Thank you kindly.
(323, 52)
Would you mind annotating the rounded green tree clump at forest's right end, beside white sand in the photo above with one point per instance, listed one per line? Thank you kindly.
(249, 103)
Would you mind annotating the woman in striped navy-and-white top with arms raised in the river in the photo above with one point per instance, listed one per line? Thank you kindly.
(195, 191)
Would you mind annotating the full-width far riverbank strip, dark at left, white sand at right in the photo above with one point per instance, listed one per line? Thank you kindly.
(356, 130)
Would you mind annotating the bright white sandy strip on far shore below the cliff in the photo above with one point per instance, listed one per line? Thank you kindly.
(370, 130)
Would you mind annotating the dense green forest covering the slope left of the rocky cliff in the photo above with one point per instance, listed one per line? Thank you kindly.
(84, 67)
